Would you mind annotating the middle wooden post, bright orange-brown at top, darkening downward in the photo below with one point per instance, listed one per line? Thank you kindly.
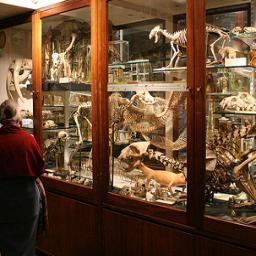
(99, 94)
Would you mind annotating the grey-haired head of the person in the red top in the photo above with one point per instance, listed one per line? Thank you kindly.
(9, 113)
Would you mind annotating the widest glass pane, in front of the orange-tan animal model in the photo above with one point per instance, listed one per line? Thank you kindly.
(147, 101)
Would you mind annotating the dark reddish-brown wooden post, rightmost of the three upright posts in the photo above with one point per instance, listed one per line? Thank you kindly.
(196, 103)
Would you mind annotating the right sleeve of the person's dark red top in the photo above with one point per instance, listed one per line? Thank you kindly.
(35, 157)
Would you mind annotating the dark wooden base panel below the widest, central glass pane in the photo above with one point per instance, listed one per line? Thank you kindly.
(125, 235)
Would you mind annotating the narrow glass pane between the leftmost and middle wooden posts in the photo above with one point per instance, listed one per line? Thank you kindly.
(66, 102)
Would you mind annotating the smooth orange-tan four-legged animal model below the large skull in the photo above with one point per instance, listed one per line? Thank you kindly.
(164, 178)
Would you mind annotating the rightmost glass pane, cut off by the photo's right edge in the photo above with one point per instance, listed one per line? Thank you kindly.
(230, 116)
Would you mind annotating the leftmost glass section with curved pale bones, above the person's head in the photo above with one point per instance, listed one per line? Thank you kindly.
(16, 70)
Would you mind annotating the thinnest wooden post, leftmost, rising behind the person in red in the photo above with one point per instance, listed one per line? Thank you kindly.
(37, 76)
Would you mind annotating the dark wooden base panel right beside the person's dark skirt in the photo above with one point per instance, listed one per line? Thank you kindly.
(72, 228)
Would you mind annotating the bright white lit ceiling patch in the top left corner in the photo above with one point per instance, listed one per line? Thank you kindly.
(31, 4)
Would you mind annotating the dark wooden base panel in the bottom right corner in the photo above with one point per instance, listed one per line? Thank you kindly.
(211, 247)
